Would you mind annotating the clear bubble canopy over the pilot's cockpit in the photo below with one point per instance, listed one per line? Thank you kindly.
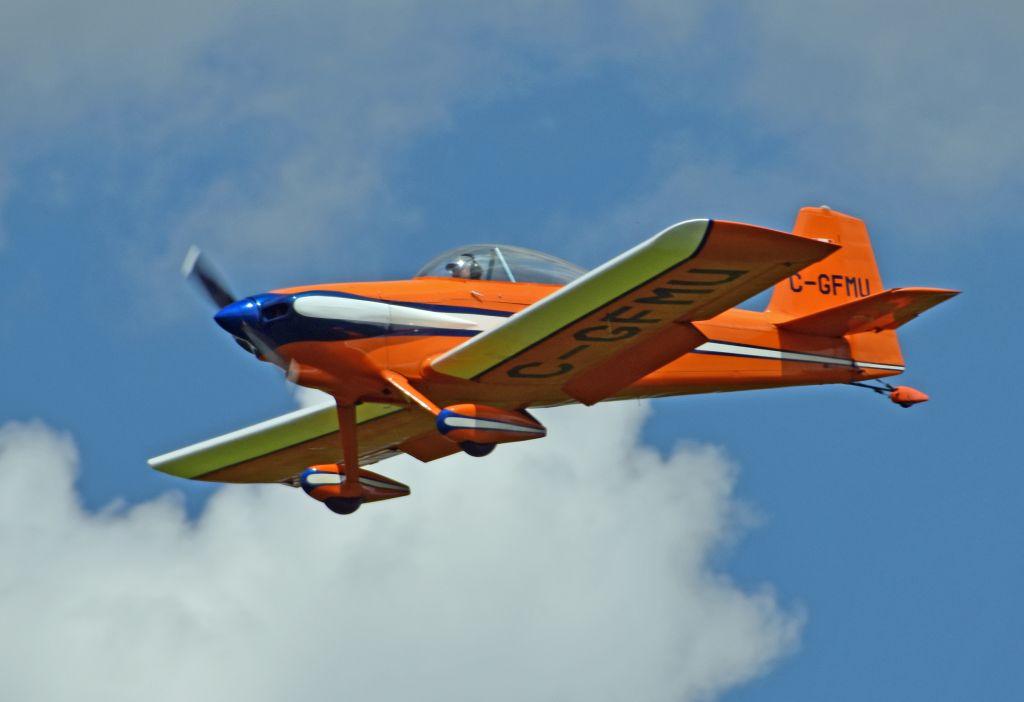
(501, 262)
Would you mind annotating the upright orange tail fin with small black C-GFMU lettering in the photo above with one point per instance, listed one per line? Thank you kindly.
(848, 275)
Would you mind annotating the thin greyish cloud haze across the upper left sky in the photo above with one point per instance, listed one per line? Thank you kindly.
(307, 108)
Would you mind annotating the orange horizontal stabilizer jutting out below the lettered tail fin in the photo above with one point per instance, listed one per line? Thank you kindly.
(886, 311)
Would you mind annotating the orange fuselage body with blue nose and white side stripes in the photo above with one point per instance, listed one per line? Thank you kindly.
(342, 335)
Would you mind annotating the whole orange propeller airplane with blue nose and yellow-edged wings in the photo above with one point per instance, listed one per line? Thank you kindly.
(453, 360)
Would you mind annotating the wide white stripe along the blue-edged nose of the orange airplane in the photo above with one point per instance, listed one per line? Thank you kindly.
(373, 313)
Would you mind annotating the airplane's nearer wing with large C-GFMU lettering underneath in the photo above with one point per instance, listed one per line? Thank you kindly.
(632, 316)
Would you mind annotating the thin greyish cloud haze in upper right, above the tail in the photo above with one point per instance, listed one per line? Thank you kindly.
(900, 113)
